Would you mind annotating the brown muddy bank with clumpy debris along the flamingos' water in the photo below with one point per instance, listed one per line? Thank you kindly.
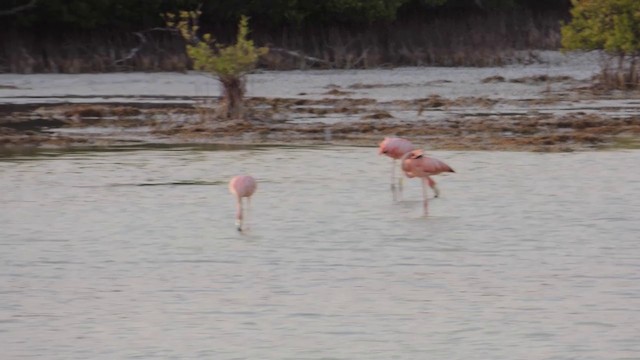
(466, 123)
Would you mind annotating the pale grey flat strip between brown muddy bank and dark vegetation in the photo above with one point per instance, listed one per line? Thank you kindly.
(380, 84)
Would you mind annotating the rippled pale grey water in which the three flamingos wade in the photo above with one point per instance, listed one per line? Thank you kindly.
(133, 254)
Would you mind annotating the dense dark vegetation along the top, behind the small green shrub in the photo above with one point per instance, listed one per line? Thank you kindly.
(120, 35)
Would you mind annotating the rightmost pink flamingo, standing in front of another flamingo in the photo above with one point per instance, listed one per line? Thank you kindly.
(416, 164)
